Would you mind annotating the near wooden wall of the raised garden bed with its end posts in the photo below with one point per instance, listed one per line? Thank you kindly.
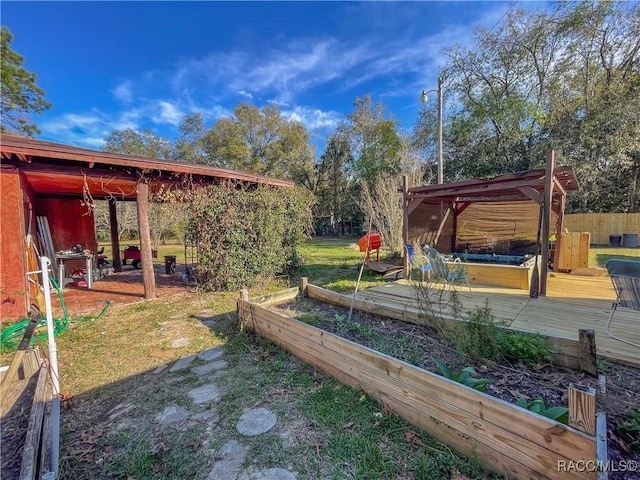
(505, 438)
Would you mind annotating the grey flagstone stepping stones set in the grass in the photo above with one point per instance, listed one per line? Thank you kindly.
(231, 456)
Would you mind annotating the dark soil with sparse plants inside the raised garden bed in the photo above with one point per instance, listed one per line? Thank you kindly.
(419, 345)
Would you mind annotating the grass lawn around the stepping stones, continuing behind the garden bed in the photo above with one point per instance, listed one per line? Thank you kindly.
(113, 399)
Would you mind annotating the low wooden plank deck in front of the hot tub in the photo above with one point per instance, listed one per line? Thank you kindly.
(572, 303)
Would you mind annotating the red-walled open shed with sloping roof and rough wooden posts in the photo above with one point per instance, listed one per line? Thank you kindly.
(53, 179)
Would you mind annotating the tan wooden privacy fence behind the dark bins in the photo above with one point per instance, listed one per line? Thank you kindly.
(601, 225)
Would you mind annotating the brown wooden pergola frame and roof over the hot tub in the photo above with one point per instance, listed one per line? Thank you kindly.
(545, 186)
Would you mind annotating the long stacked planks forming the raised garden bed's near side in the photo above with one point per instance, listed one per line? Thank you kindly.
(408, 387)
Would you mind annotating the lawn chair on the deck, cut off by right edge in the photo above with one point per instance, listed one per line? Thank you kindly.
(625, 276)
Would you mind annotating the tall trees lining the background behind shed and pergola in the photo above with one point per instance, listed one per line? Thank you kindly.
(566, 79)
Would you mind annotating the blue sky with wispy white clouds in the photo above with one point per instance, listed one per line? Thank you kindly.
(117, 65)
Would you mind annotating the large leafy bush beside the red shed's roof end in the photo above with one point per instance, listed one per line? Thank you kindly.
(245, 235)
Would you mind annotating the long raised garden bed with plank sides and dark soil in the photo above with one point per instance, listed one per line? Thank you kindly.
(505, 438)
